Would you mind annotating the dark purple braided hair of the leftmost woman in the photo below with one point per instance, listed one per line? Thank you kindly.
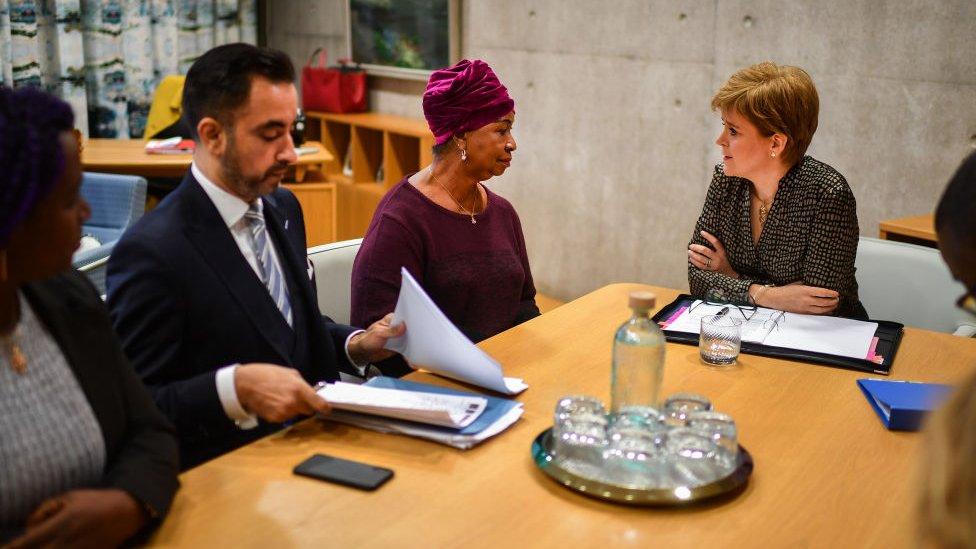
(31, 155)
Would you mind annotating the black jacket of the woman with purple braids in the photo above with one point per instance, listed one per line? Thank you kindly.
(140, 445)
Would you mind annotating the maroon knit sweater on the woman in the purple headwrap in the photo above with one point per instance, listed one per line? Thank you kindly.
(478, 274)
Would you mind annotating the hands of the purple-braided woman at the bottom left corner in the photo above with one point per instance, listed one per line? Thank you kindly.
(83, 518)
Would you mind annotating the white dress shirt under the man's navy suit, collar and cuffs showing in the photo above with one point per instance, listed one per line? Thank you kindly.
(232, 210)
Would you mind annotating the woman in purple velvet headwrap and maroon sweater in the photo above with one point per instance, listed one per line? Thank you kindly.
(461, 241)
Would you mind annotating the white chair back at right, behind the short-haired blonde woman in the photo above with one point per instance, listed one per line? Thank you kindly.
(909, 284)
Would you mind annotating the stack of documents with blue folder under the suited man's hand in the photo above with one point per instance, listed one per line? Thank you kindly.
(448, 416)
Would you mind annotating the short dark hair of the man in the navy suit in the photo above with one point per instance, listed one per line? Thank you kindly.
(220, 80)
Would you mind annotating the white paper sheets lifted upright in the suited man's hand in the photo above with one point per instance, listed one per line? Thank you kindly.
(433, 342)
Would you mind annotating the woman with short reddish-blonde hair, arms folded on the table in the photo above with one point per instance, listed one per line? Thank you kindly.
(778, 229)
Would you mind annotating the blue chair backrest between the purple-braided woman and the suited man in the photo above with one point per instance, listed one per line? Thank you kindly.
(116, 201)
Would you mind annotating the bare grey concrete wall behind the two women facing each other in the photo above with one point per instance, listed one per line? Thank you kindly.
(616, 136)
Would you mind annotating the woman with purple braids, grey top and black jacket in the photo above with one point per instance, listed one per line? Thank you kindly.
(86, 460)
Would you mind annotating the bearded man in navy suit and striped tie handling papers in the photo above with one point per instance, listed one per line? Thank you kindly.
(211, 292)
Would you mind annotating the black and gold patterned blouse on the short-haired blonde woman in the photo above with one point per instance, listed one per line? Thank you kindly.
(810, 235)
